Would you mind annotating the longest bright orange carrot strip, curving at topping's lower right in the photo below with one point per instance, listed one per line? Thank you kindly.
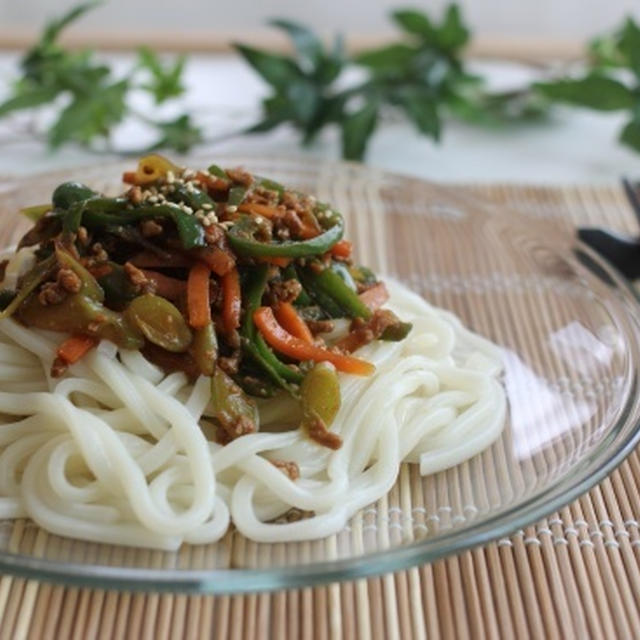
(297, 348)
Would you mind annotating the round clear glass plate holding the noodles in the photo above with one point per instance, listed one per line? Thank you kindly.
(568, 328)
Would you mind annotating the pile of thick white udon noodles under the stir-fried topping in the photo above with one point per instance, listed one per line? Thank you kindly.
(117, 452)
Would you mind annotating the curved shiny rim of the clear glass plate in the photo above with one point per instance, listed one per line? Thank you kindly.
(227, 581)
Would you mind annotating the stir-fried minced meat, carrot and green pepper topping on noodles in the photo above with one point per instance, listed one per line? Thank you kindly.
(214, 272)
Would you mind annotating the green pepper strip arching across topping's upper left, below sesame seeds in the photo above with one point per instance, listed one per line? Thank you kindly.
(104, 212)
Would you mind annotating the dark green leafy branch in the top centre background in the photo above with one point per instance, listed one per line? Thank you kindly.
(423, 76)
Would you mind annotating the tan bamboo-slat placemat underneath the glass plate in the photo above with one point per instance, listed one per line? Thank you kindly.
(574, 574)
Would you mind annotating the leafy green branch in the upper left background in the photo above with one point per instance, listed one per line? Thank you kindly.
(88, 100)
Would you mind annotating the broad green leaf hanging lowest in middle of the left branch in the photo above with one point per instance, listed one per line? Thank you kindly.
(91, 116)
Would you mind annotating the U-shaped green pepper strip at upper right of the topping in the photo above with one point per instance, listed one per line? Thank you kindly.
(242, 240)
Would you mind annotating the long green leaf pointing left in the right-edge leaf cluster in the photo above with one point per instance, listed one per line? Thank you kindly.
(594, 91)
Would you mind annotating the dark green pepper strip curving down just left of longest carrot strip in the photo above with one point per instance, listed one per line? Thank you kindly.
(253, 342)
